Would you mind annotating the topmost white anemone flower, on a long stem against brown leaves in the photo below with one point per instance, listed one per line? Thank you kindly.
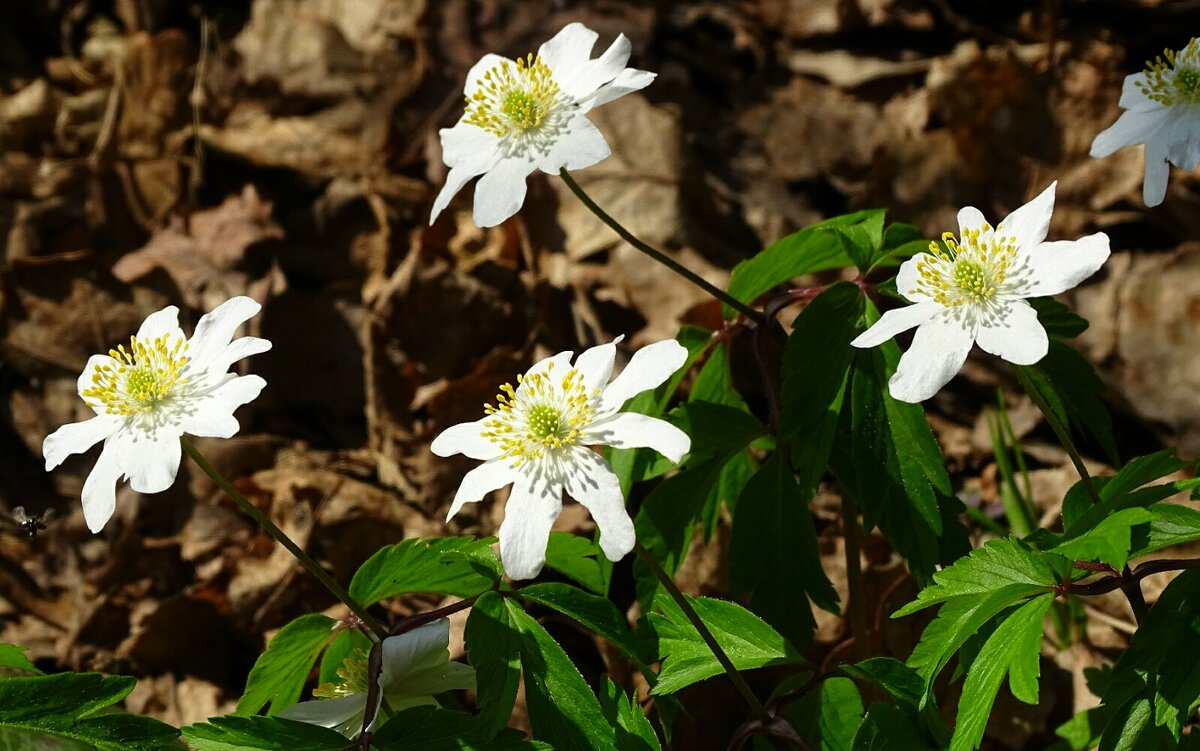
(532, 115)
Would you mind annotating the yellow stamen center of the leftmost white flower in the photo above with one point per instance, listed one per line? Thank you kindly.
(140, 377)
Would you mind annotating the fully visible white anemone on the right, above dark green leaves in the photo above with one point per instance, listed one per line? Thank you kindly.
(975, 291)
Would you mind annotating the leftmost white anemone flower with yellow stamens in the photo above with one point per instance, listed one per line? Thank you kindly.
(149, 394)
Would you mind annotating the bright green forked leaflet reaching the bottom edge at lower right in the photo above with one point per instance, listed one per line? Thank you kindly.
(1015, 650)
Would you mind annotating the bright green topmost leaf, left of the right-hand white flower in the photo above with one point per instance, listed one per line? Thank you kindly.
(813, 249)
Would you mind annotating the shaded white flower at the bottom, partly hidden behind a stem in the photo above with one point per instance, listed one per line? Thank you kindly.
(416, 666)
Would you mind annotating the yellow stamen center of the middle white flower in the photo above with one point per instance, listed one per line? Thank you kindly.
(544, 416)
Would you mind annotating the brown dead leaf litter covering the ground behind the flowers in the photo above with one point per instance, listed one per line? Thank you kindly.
(166, 153)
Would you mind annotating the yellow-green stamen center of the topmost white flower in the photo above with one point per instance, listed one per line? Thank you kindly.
(513, 98)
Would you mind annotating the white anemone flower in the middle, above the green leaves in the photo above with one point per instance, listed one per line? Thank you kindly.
(538, 436)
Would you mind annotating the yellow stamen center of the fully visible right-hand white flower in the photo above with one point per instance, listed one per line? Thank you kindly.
(968, 273)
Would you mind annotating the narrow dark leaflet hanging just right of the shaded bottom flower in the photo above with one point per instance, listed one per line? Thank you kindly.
(494, 647)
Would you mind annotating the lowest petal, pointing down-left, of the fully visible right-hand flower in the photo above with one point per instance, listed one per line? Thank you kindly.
(939, 351)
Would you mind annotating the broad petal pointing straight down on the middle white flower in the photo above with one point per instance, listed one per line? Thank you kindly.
(532, 509)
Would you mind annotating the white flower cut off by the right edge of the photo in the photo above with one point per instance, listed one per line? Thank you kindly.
(1163, 112)
